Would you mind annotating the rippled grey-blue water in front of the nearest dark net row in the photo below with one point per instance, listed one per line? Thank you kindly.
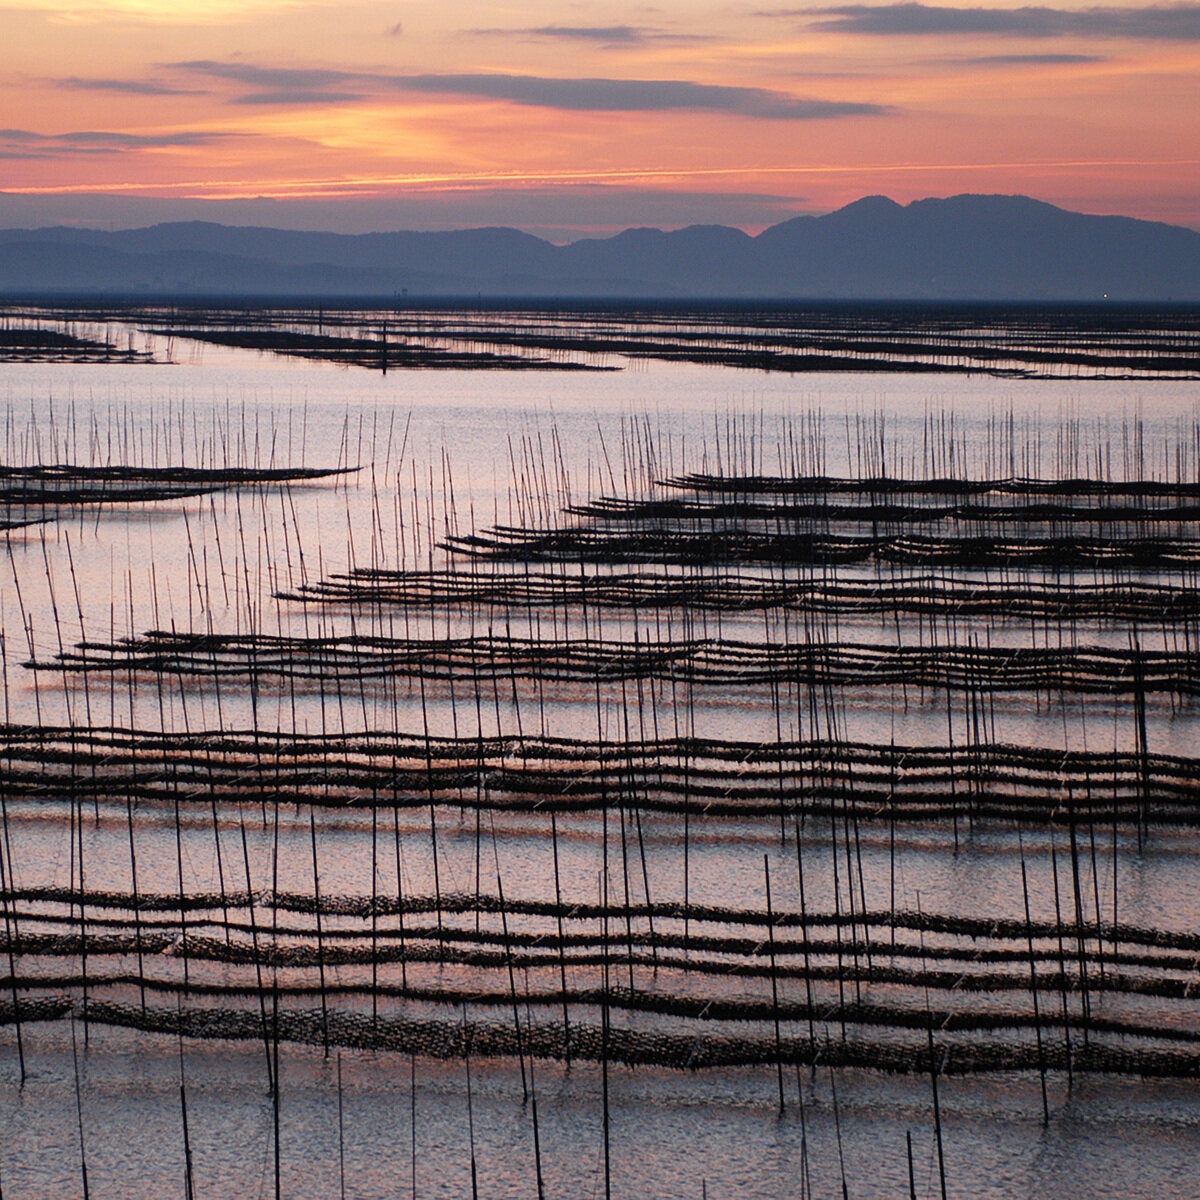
(677, 1136)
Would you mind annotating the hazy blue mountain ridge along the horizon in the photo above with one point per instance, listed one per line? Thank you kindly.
(967, 248)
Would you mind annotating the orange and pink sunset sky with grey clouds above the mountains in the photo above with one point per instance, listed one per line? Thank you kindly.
(575, 119)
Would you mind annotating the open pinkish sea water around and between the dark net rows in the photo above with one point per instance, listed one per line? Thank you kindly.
(454, 452)
